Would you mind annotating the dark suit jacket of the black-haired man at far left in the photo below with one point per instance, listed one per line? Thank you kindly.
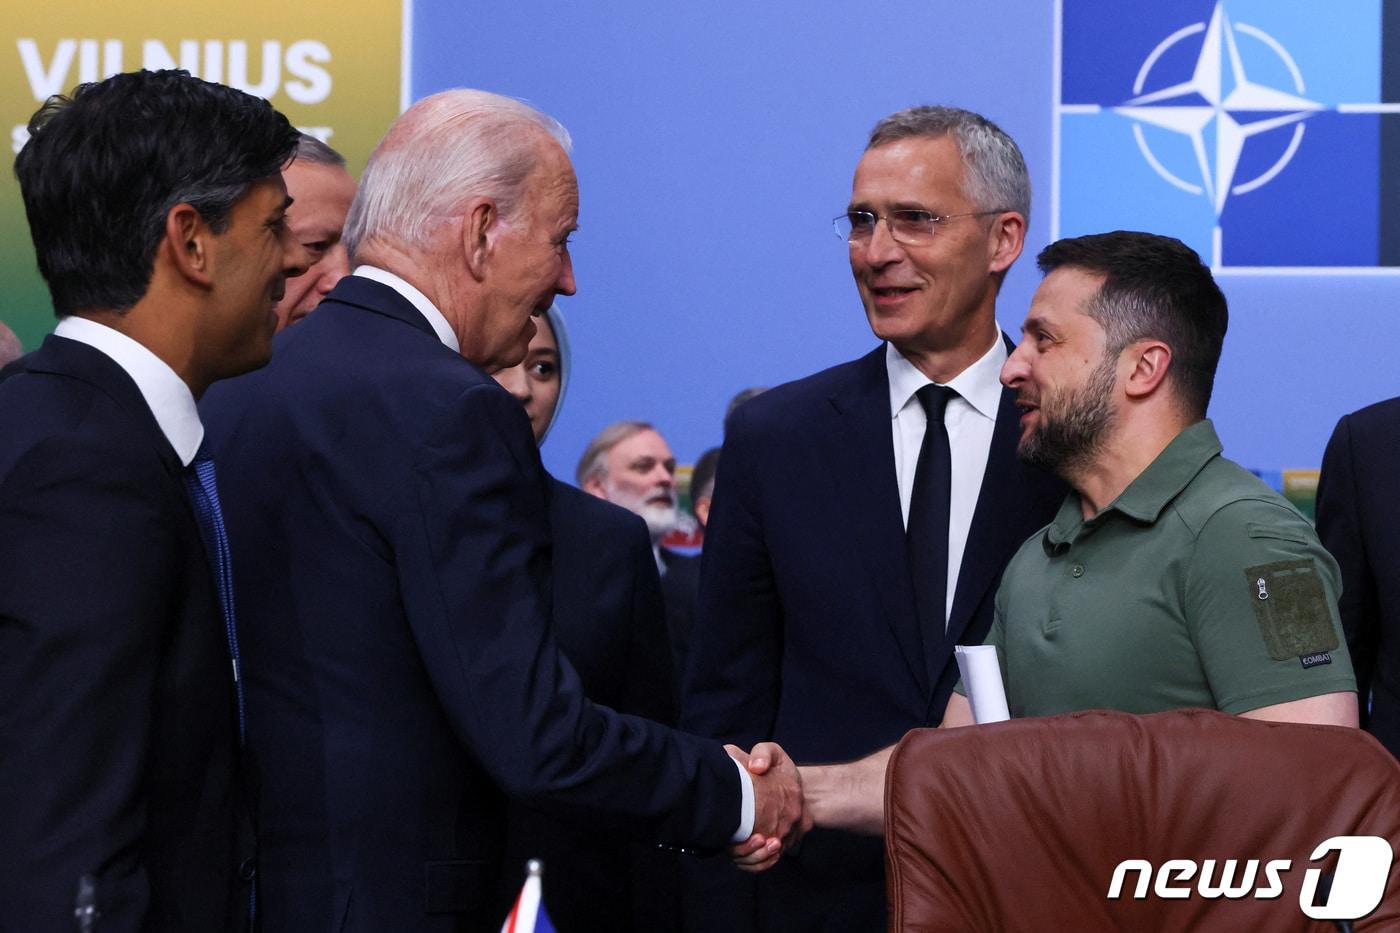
(118, 739)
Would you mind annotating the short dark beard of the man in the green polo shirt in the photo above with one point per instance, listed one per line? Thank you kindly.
(1074, 425)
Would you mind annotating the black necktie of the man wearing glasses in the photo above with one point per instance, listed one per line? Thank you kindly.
(927, 534)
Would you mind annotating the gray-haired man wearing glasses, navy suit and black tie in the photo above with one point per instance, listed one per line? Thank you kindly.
(862, 520)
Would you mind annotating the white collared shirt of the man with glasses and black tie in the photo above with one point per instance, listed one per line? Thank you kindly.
(971, 420)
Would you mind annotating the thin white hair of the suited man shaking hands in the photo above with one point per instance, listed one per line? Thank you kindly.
(440, 153)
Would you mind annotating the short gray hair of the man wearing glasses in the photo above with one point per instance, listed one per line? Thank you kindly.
(997, 177)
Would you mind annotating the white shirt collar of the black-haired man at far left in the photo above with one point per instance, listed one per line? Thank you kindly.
(166, 393)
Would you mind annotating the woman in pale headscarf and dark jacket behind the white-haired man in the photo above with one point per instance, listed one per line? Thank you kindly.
(610, 624)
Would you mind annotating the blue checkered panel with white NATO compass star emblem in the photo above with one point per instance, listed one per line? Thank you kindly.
(1255, 131)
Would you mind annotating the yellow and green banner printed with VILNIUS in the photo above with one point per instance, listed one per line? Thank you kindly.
(335, 69)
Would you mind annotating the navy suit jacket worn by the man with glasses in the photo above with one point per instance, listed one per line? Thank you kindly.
(807, 631)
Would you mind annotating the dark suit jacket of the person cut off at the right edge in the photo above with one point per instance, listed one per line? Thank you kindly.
(1359, 522)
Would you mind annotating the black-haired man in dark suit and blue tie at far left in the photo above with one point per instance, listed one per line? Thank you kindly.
(156, 207)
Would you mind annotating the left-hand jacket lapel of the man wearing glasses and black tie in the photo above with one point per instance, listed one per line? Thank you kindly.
(862, 456)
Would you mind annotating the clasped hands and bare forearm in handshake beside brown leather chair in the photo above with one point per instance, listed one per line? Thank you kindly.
(790, 801)
